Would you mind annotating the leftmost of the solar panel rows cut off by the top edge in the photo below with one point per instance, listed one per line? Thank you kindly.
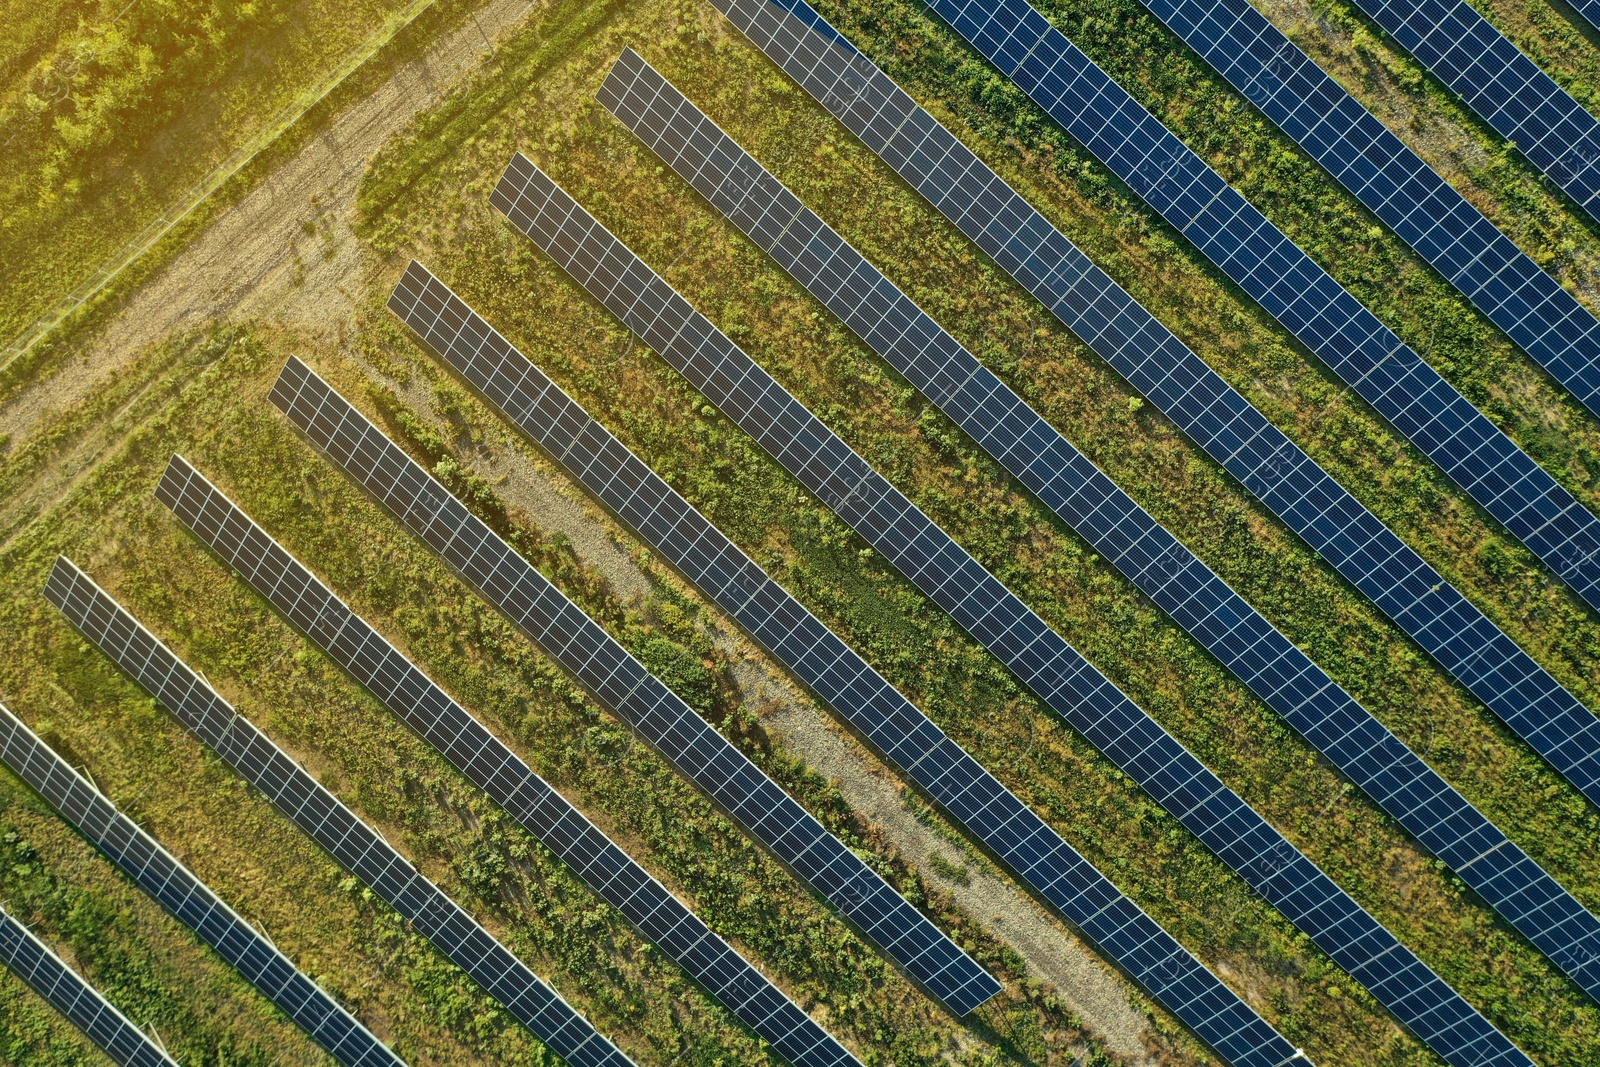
(1175, 380)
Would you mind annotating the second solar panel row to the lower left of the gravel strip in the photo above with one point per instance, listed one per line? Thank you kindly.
(614, 876)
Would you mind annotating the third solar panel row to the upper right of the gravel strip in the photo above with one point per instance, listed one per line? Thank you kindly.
(1010, 431)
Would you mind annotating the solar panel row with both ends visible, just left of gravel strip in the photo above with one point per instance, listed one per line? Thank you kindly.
(622, 684)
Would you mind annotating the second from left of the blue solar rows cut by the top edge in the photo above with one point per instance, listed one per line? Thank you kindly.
(1422, 406)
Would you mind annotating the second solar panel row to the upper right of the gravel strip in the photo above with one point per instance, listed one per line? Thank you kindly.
(994, 617)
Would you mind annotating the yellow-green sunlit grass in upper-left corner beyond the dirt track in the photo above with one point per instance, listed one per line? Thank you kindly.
(110, 111)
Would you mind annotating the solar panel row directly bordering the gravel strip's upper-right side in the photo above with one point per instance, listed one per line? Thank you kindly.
(834, 671)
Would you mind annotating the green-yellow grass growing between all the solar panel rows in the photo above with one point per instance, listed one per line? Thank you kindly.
(426, 196)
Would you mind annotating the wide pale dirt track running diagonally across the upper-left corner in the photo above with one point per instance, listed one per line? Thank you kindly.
(284, 254)
